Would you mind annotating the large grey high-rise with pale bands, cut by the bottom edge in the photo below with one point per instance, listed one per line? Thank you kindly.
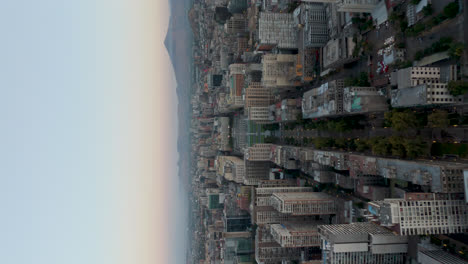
(358, 243)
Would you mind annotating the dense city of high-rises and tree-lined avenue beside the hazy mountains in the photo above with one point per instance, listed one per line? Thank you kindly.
(327, 131)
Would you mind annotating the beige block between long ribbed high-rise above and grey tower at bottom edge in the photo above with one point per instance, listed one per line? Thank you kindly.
(296, 234)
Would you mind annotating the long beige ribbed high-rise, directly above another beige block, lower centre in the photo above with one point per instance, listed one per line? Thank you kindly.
(304, 203)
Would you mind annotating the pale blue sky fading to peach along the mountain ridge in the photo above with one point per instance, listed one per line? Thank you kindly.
(88, 133)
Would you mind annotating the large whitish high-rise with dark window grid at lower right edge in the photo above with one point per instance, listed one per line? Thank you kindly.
(424, 214)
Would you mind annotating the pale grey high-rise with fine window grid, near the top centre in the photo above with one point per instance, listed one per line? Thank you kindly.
(277, 29)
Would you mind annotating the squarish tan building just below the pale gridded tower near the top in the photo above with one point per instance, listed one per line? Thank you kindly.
(279, 70)
